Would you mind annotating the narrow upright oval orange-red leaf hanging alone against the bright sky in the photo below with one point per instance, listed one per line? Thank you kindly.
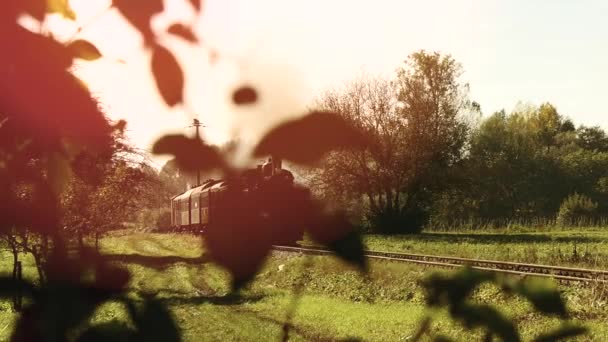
(168, 75)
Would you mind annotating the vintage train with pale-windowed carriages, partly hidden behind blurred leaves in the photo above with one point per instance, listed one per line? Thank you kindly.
(194, 209)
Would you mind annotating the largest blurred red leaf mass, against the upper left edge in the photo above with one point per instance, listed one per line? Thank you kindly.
(45, 101)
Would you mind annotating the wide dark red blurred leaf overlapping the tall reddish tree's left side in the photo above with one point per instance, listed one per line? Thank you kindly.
(308, 139)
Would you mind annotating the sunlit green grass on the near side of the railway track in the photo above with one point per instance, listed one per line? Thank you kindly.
(338, 303)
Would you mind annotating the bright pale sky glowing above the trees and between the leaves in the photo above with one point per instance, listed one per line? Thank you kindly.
(513, 51)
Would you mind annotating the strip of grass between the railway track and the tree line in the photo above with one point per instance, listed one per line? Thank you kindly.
(586, 248)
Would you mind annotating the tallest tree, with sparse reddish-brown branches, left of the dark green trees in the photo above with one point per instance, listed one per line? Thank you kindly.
(418, 124)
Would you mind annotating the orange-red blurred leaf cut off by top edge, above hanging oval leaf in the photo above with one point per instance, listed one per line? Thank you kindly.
(139, 13)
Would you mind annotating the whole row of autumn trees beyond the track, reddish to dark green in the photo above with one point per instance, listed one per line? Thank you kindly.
(436, 162)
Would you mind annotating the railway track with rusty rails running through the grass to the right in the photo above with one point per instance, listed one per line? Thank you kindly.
(567, 274)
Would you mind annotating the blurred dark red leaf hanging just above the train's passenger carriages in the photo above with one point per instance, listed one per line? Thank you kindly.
(190, 154)
